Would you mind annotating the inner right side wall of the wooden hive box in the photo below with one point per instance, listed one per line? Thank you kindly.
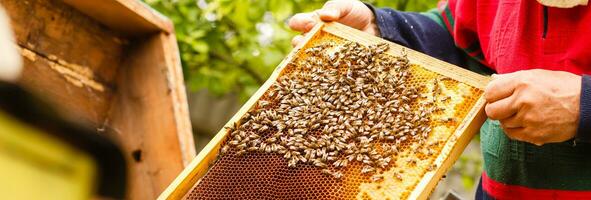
(143, 117)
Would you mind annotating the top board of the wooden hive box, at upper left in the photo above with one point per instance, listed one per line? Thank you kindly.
(130, 17)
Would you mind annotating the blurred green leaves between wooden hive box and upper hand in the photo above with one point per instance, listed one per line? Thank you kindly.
(234, 45)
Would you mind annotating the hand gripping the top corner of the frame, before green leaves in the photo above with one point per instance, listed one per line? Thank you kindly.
(352, 13)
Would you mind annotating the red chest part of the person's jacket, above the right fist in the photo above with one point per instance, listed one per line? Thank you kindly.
(512, 35)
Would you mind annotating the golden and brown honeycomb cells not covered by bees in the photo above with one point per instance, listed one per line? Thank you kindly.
(237, 174)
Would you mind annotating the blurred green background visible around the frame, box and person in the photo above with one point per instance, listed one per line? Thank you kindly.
(230, 47)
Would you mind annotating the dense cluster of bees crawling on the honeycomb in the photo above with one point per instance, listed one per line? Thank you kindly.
(342, 104)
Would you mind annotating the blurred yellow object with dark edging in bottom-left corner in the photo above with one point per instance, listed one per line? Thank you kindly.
(35, 165)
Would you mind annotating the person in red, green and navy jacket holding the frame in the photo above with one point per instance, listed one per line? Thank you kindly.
(535, 143)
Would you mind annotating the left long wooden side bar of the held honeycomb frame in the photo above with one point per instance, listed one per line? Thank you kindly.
(200, 164)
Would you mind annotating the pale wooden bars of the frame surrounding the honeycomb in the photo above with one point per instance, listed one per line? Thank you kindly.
(465, 131)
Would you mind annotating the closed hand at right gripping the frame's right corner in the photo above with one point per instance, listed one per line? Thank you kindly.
(535, 106)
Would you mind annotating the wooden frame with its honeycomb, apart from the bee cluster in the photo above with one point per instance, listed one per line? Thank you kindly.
(413, 175)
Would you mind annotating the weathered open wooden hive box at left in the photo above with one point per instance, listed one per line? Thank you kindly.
(113, 65)
